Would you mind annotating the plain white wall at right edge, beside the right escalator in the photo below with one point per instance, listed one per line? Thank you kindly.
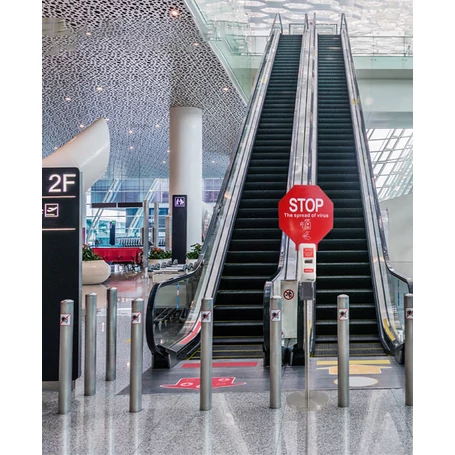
(400, 233)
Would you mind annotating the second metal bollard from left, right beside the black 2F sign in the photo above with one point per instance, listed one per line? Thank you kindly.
(90, 345)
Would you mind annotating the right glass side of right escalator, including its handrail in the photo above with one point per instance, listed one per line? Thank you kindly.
(389, 286)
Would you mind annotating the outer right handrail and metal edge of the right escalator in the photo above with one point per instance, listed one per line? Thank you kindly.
(381, 266)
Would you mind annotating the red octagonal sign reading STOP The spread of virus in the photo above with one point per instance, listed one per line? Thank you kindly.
(305, 214)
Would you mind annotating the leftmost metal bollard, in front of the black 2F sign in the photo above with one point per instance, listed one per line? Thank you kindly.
(65, 356)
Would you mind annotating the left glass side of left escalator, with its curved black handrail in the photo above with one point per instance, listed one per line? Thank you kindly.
(182, 324)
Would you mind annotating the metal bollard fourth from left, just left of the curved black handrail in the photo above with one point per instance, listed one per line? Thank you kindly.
(137, 342)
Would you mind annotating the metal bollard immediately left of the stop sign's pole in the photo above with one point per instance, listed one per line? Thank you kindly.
(275, 352)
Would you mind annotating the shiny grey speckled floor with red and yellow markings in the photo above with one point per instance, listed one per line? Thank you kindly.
(241, 421)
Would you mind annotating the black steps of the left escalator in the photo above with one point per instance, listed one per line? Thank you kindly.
(254, 247)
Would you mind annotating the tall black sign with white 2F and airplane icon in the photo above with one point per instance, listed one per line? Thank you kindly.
(61, 260)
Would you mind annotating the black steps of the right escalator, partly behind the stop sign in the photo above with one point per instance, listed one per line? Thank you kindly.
(343, 259)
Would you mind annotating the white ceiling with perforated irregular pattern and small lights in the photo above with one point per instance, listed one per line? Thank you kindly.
(129, 61)
